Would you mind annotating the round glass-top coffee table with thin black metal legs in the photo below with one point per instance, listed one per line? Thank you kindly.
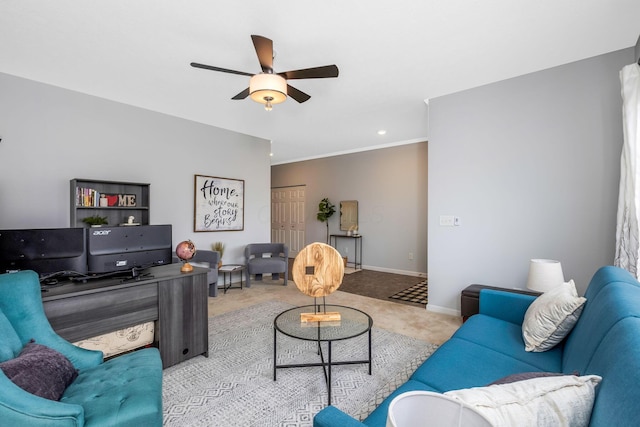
(353, 323)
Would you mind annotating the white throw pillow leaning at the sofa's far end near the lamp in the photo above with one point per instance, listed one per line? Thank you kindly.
(551, 317)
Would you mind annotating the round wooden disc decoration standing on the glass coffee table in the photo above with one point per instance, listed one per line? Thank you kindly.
(318, 270)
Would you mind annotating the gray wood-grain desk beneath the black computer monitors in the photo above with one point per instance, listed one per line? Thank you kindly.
(175, 301)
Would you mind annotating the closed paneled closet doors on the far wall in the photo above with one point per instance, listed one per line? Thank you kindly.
(287, 217)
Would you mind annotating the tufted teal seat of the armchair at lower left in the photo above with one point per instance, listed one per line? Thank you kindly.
(123, 391)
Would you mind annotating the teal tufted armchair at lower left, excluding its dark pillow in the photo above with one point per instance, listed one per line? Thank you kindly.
(124, 391)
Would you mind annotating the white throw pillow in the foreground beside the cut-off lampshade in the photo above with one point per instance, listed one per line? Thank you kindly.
(546, 401)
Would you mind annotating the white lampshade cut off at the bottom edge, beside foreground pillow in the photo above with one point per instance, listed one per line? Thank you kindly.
(425, 408)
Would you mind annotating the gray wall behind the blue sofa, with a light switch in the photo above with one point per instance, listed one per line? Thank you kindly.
(531, 166)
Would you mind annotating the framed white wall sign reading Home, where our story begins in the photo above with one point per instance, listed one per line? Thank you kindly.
(219, 204)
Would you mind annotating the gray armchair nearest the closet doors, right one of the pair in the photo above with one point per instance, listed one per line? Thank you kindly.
(264, 258)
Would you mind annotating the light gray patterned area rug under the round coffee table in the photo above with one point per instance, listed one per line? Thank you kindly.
(234, 386)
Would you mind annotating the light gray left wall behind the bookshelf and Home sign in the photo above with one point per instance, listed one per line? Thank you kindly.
(51, 135)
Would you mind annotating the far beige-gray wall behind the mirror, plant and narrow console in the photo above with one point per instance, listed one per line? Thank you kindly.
(390, 186)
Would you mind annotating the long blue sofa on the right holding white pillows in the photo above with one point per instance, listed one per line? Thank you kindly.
(605, 341)
